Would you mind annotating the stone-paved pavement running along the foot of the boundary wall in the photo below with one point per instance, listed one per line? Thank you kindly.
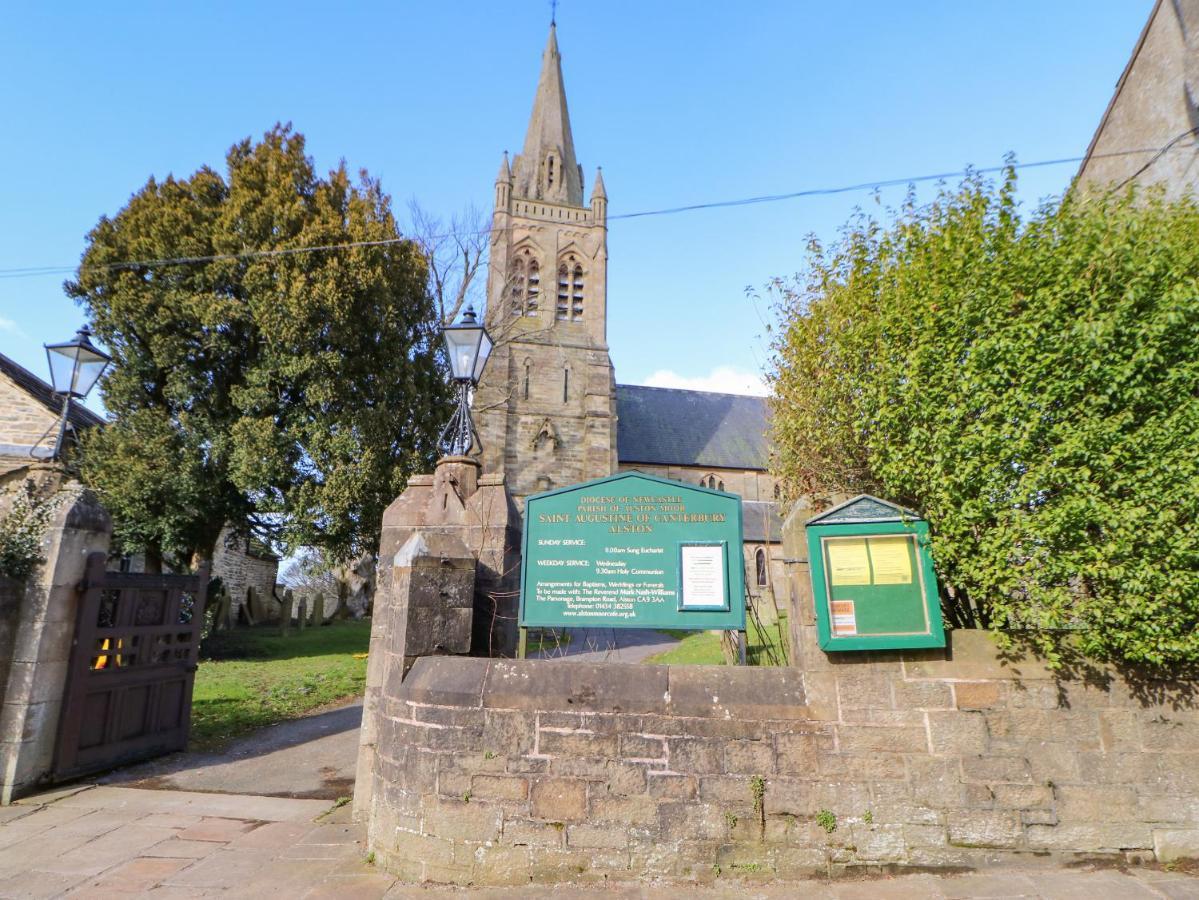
(110, 842)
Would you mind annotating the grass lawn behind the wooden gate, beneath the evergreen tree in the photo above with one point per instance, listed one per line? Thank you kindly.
(250, 678)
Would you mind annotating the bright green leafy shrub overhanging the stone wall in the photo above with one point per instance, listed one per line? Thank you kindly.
(1032, 386)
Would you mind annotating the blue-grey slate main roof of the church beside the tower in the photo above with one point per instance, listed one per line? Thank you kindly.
(667, 426)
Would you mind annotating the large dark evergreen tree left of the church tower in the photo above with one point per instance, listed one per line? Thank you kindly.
(293, 392)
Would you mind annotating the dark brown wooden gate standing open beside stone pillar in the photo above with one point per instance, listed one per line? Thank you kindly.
(129, 691)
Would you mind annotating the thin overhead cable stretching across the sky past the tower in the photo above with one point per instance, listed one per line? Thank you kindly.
(37, 271)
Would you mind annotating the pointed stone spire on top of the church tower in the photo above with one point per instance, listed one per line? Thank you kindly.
(547, 170)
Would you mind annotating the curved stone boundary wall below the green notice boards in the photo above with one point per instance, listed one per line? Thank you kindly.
(495, 772)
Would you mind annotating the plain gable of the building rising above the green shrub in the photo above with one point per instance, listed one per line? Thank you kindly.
(1155, 110)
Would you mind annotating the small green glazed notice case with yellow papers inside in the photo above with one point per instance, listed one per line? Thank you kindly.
(873, 579)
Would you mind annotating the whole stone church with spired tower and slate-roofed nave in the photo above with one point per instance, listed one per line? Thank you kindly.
(549, 409)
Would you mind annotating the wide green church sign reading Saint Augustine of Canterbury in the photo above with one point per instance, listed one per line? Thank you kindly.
(634, 552)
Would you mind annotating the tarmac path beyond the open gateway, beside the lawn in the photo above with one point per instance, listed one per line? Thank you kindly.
(312, 758)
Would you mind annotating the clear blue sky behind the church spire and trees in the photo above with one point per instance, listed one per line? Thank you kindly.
(680, 101)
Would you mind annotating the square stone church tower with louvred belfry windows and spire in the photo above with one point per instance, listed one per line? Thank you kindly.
(546, 408)
